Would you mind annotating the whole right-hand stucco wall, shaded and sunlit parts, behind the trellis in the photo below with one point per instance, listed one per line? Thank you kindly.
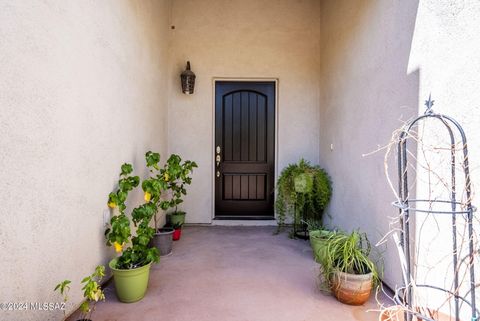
(379, 61)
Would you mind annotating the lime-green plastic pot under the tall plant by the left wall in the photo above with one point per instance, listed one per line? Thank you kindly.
(130, 285)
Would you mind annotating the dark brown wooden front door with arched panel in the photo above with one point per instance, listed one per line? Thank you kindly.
(244, 149)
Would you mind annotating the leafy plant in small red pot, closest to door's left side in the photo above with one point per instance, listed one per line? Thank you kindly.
(177, 175)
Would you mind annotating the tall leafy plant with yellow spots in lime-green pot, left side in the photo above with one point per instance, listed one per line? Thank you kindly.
(131, 268)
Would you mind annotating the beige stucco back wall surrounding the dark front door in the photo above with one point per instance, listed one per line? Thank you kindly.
(243, 39)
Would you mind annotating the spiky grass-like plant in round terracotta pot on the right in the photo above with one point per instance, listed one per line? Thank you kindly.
(347, 269)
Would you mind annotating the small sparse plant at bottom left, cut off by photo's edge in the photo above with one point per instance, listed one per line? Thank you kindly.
(92, 292)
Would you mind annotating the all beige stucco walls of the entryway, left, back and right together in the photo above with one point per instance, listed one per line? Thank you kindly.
(84, 88)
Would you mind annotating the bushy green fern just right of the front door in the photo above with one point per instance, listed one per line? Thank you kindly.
(313, 199)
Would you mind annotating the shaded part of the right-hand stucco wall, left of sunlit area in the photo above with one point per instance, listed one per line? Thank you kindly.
(367, 92)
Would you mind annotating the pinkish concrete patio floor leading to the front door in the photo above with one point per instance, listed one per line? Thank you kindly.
(234, 274)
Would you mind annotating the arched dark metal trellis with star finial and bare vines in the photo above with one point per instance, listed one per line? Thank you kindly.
(409, 207)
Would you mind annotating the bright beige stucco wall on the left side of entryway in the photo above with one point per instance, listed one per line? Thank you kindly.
(83, 88)
